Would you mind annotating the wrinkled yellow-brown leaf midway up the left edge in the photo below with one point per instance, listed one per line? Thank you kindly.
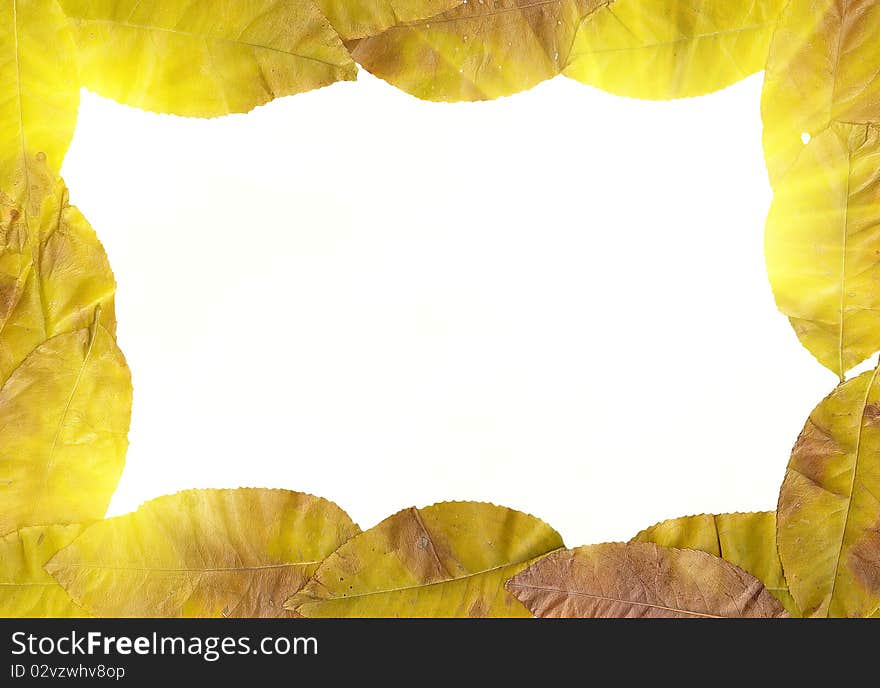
(53, 270)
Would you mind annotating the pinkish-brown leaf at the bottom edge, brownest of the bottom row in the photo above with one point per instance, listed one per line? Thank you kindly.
(640, 579)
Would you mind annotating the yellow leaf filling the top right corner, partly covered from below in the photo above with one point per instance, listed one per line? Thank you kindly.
(822, 68)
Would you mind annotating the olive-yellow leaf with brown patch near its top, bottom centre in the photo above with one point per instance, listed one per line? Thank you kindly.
(446, 560)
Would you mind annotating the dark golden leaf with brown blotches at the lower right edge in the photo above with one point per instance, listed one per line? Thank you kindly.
(829, 512)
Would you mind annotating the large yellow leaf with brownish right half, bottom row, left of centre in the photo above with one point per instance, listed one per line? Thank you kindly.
(202, 553)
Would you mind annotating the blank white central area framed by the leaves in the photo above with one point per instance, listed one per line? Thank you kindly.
(555, 301)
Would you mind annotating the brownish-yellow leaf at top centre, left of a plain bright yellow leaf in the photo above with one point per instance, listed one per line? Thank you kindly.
(479, 50)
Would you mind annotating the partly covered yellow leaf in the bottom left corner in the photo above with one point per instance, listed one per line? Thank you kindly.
(26, 589)
